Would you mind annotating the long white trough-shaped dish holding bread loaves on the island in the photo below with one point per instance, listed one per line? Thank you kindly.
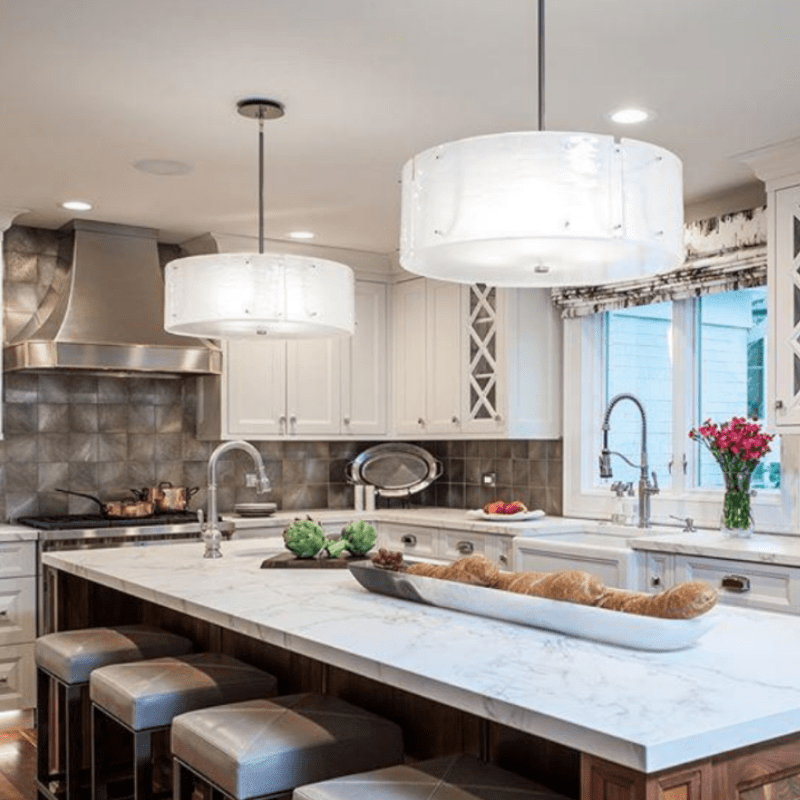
(586, 622)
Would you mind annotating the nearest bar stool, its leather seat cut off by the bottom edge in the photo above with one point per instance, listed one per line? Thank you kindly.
(458, 776)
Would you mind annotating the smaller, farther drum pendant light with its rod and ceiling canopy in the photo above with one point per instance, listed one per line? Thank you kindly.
(244, 295)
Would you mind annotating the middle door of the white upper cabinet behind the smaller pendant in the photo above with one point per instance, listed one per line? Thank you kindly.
(313, 386)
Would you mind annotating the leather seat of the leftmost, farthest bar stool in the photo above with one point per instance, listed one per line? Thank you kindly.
(72, 655)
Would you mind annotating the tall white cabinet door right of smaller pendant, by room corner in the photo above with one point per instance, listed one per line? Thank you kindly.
(364, 355)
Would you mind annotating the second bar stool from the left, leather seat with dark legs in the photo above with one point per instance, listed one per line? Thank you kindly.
(143, 697)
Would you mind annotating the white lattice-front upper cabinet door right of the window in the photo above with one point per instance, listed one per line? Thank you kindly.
(784, 295)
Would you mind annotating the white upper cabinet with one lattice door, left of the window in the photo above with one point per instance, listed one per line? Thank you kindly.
(475, 361)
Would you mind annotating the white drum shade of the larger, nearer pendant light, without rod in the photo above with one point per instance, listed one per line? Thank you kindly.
(542, 208)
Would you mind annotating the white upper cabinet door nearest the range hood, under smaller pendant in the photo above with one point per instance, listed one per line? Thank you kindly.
(255, 387)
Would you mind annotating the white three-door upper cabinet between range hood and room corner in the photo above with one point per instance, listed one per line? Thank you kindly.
(303, 388)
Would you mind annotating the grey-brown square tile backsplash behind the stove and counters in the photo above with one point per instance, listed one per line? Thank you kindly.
(104, 435)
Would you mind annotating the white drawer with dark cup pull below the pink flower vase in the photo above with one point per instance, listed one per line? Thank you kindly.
(769, 586)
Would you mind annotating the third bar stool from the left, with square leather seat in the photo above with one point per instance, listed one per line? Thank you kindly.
(265, 748)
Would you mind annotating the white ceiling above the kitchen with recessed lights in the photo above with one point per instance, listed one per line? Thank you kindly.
(90, 86)
